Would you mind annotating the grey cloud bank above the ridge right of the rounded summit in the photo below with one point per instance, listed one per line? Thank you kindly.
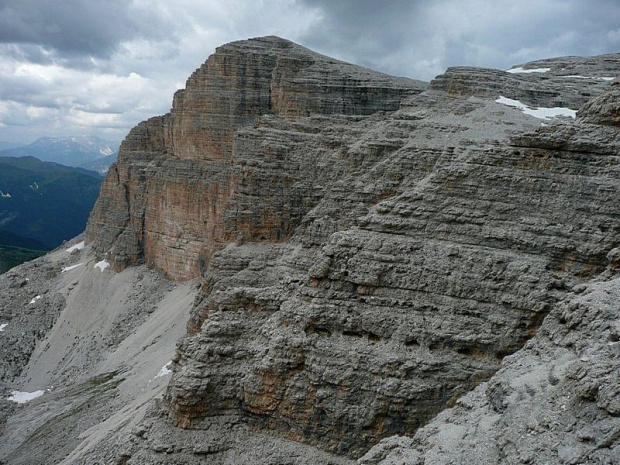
(421, 38)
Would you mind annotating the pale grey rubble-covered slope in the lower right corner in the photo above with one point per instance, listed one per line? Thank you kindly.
(555, 401)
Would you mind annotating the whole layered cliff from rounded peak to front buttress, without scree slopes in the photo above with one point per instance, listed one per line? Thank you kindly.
(368, 252)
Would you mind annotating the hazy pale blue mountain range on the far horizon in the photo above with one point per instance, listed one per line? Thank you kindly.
(90, 152)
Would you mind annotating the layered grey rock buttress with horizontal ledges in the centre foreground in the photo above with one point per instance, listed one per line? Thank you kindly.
(392, 320)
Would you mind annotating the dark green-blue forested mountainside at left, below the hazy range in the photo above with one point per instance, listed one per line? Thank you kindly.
(41, 205)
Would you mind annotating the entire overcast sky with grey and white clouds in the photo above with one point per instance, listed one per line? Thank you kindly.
(73, 67)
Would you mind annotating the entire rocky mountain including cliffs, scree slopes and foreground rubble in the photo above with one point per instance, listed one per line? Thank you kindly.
(373, 269)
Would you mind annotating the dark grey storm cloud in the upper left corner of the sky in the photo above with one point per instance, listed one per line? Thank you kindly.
(77, 27)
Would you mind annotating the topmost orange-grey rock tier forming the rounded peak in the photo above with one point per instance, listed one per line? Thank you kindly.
(270, 75)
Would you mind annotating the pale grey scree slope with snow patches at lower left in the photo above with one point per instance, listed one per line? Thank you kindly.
(93, 344)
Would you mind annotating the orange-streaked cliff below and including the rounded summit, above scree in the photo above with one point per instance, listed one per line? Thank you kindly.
(185, 184)
